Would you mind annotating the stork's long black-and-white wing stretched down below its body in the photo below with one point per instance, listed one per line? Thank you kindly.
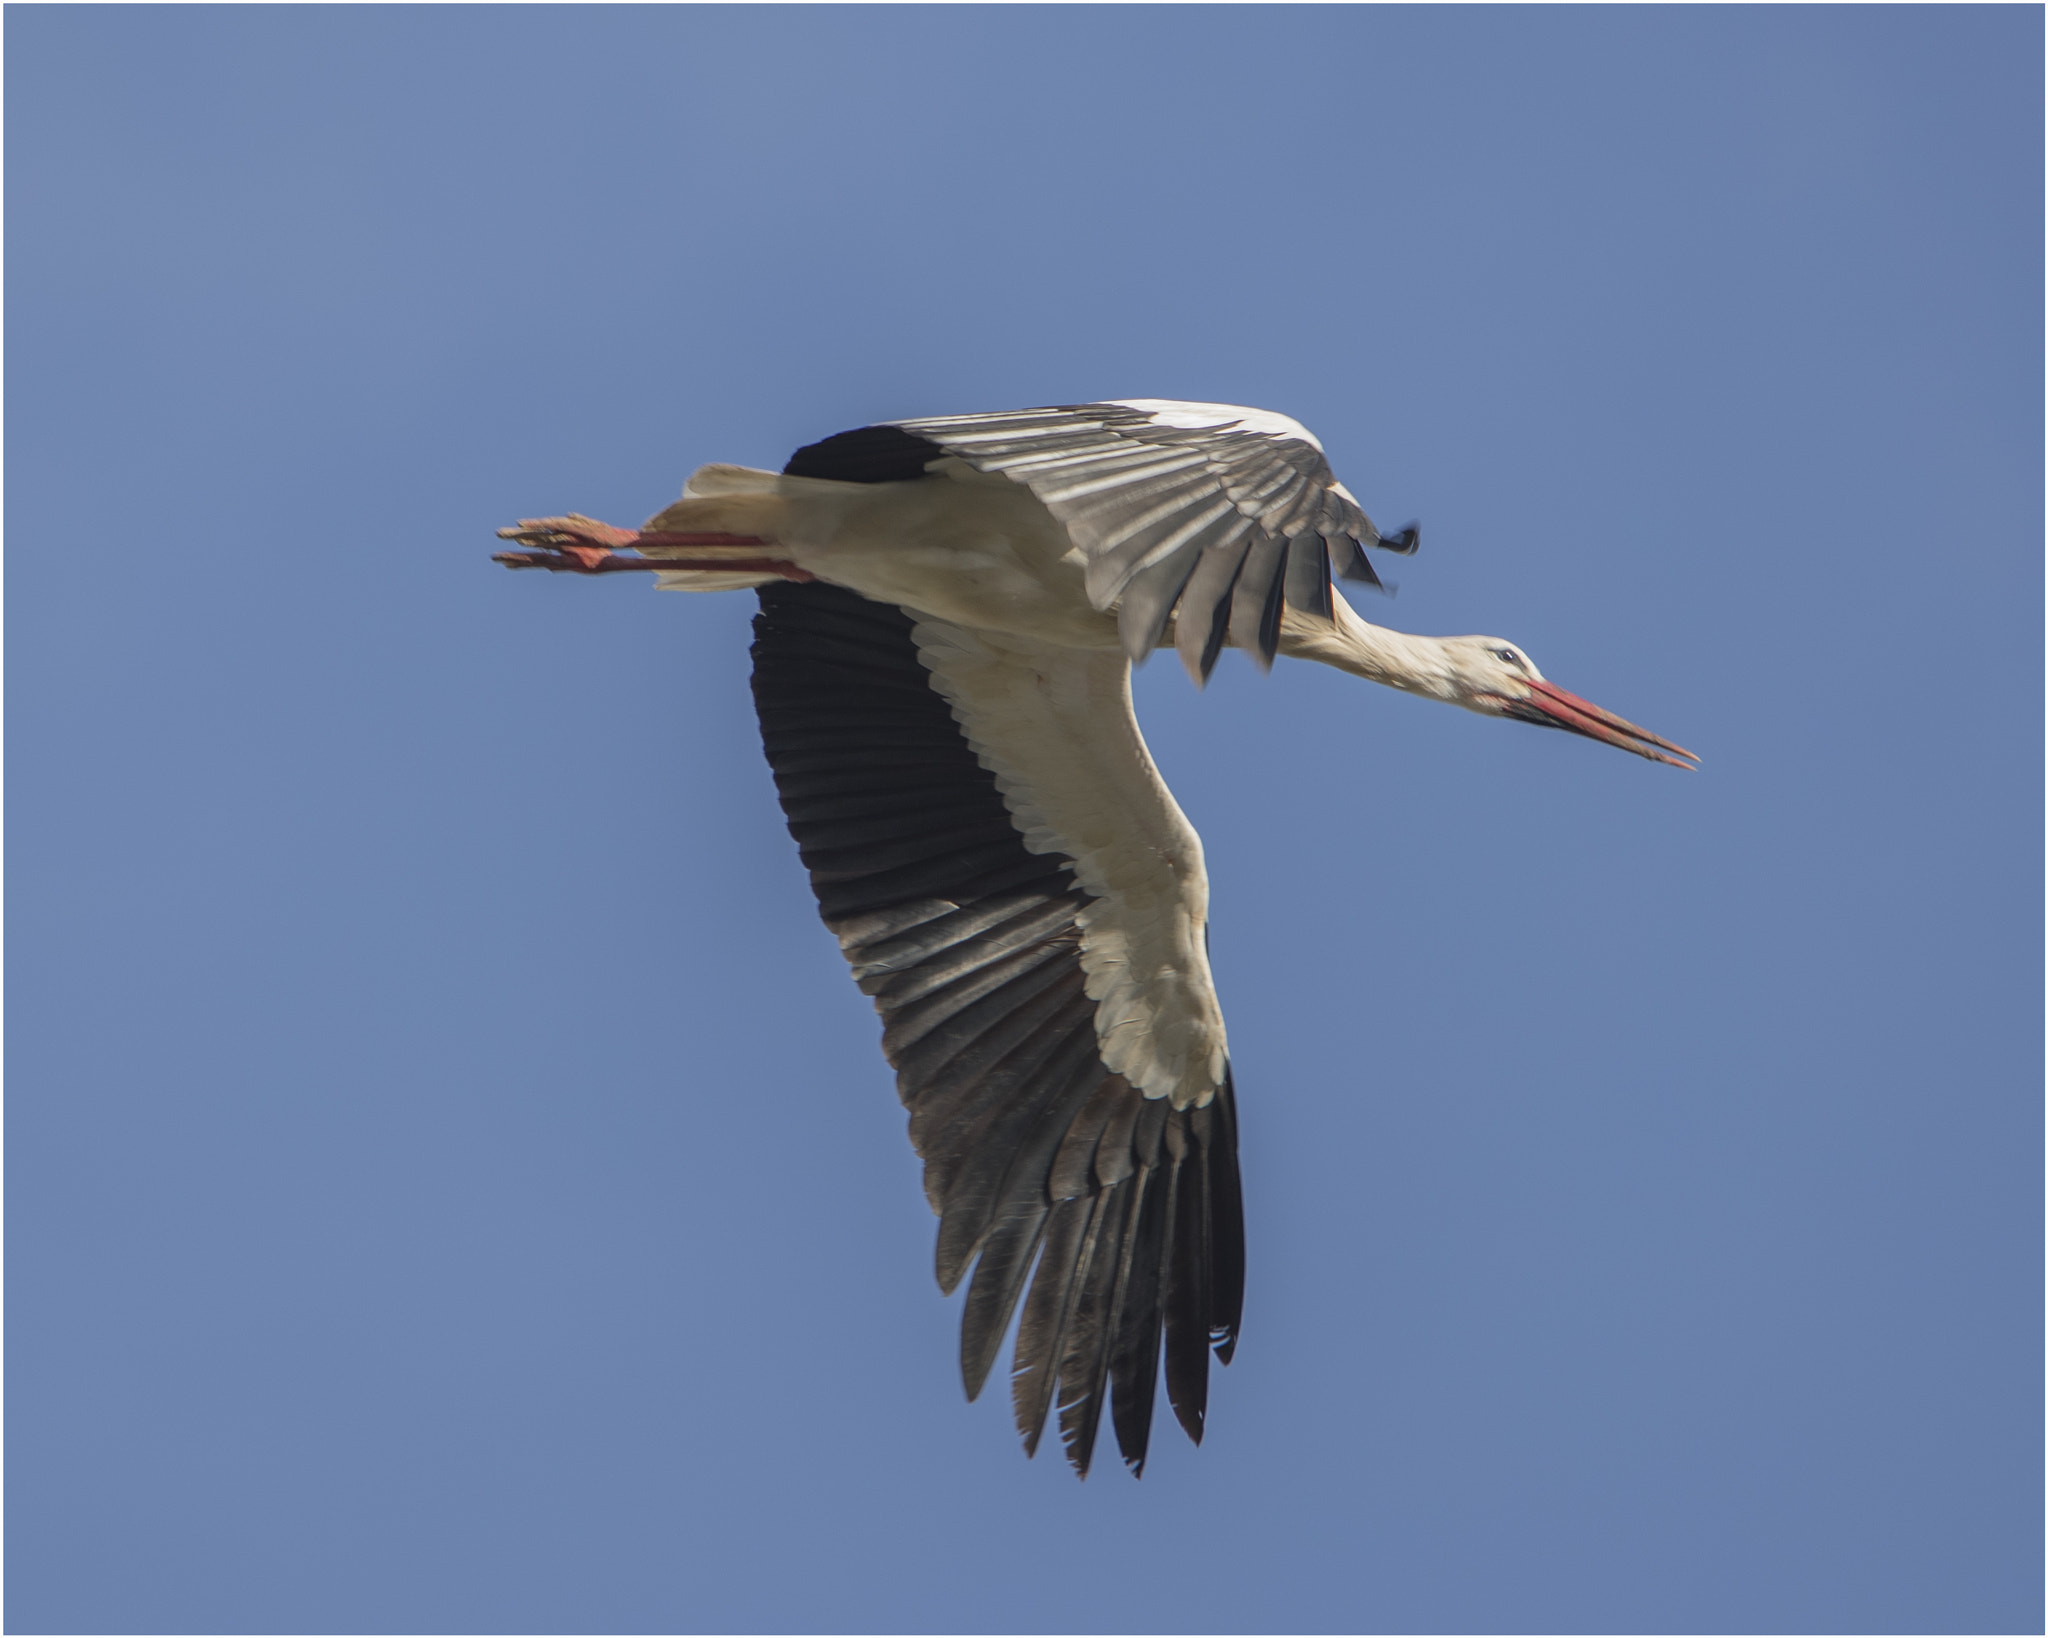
(1035, 986)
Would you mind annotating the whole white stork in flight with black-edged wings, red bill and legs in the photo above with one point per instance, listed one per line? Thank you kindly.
(949, 609)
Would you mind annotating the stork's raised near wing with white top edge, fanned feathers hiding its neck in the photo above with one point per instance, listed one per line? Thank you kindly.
(1203, 513)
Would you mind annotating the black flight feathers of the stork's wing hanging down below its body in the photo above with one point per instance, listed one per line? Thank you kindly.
(1048, 1168)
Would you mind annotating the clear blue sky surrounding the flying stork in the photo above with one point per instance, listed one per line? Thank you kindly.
(454, 1184)
